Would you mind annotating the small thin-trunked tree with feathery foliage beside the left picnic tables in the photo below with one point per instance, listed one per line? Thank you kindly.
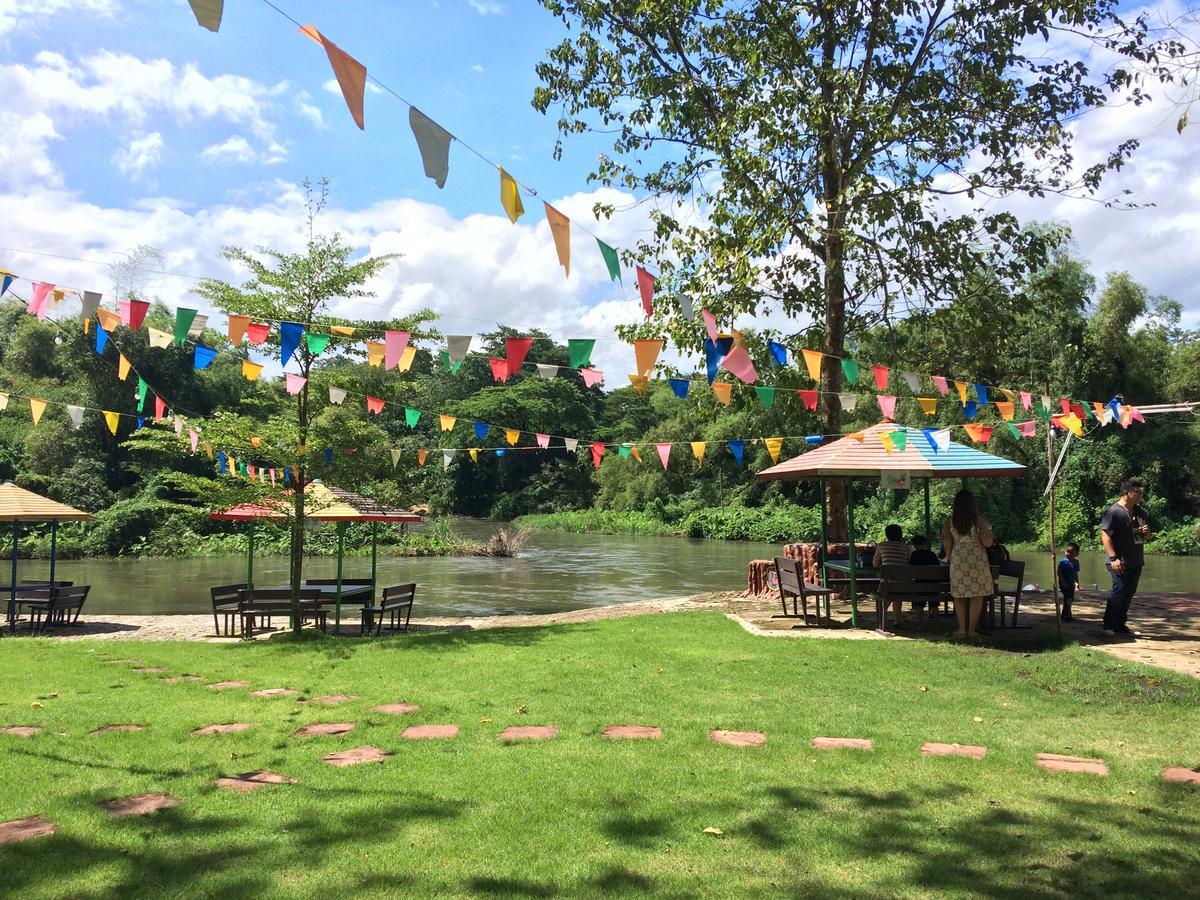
(297, 287)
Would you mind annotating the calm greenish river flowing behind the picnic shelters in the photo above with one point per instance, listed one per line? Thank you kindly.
(555, 573)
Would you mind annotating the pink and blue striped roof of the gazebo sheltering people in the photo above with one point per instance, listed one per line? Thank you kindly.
(850, 458)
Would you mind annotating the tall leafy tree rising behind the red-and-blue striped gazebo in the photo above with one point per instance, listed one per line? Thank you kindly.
(841, 160)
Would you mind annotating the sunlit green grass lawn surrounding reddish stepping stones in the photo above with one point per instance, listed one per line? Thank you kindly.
(586, 817)
